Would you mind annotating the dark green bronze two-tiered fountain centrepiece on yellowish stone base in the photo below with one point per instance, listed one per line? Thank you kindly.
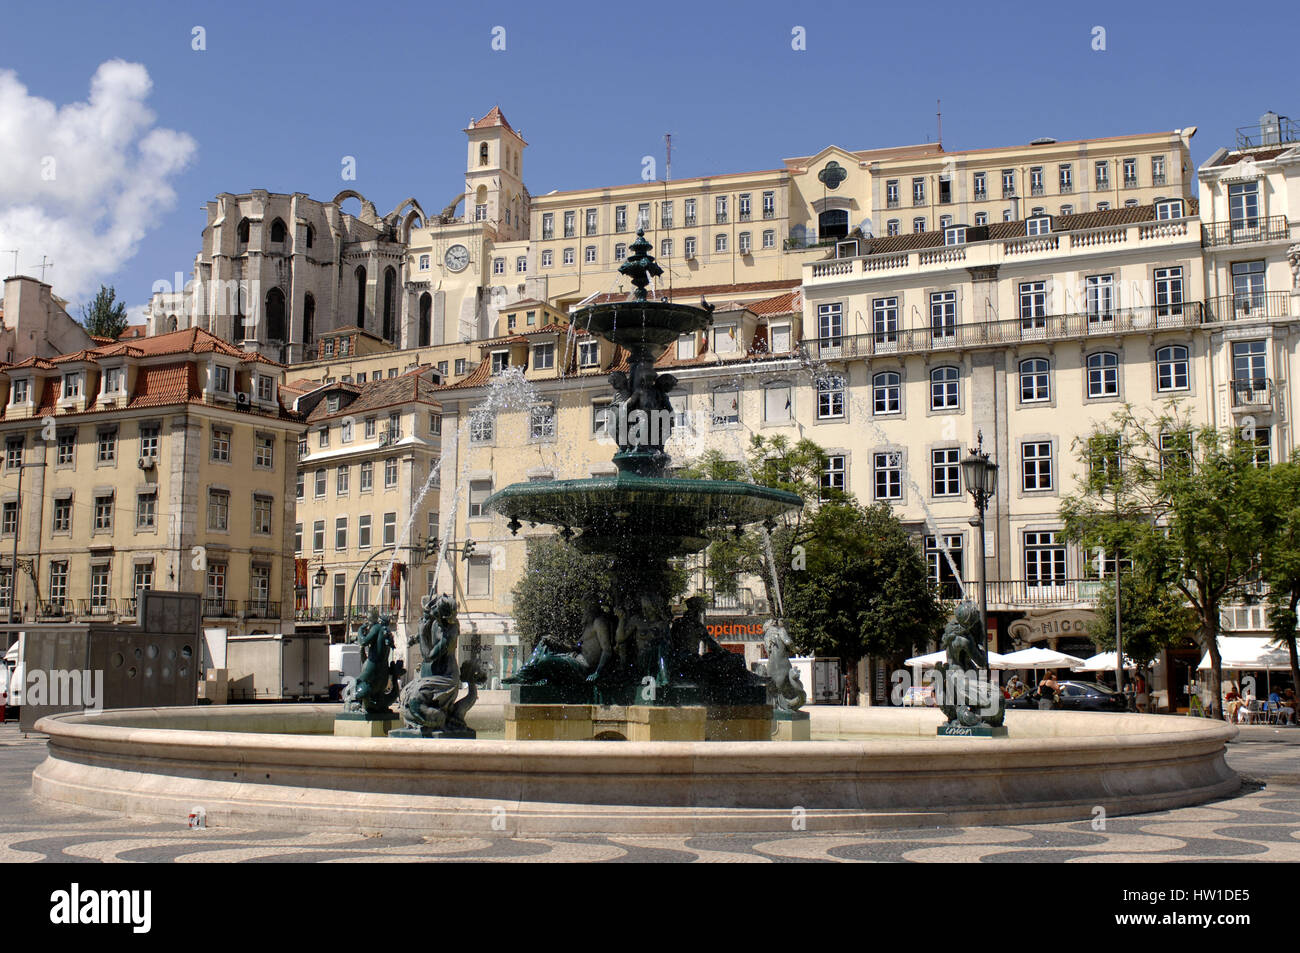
(634, 661)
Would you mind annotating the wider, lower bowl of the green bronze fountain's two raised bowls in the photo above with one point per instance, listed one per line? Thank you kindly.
(627, 505)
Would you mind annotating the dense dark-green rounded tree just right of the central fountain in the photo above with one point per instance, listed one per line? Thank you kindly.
(866, 590)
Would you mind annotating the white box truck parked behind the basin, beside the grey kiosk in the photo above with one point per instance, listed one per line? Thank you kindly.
(278, 668)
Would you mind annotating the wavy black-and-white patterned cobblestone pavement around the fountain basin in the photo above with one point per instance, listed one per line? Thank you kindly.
(1260, 824)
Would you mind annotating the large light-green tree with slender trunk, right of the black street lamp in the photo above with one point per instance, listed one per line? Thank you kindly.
(1189, 512)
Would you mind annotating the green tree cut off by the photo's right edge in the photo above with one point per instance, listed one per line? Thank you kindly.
(1280, 499)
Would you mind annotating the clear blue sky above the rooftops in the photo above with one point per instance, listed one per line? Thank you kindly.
(285, 90)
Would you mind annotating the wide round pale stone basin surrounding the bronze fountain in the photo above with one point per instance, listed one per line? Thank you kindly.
(275, 766)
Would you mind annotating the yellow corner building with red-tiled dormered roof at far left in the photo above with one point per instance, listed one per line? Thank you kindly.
(163, 463)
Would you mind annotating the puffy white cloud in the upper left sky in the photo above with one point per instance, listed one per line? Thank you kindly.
(83, 184)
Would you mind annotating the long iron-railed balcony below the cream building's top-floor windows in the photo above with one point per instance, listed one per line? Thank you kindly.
(1003, 333)
